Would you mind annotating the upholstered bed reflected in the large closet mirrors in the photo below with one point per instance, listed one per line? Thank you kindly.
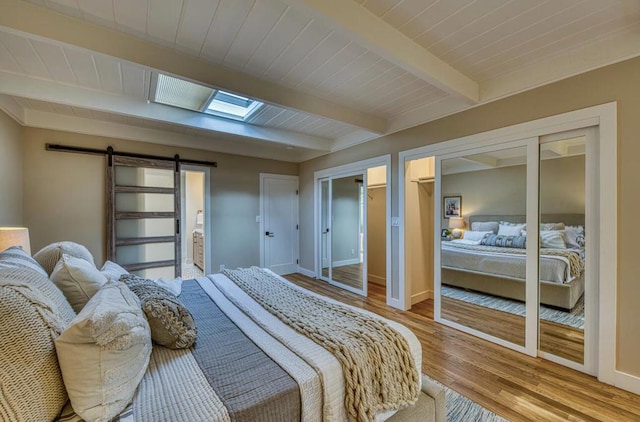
(490, 270)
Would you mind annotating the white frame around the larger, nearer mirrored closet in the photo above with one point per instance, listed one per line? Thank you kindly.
(604, 118)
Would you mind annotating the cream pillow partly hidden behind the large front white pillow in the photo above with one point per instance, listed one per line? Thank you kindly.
(78, 279)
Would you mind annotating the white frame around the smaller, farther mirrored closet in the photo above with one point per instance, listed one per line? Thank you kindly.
(358, 166)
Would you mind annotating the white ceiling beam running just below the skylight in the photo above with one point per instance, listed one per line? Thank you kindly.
(50, 91)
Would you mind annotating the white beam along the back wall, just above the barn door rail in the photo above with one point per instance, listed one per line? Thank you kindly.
(240, 146)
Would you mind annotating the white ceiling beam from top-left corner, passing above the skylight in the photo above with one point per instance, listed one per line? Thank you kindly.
(27, 18)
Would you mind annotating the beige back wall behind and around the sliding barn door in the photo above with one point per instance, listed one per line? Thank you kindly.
(65, 194)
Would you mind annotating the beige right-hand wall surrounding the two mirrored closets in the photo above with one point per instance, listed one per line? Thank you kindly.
(619, 82)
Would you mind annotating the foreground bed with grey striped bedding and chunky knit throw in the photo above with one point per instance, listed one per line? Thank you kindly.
(245, 365)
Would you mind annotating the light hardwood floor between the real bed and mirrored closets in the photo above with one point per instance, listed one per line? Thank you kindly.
(515, 386)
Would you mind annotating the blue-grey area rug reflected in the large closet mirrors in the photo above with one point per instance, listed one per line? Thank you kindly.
(575, 318)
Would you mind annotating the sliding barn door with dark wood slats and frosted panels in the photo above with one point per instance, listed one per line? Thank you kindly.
(143, 222)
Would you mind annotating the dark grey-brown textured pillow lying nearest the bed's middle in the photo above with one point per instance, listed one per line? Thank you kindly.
(171, 322)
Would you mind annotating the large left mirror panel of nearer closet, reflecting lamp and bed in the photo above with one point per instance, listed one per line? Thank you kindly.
(484, 260)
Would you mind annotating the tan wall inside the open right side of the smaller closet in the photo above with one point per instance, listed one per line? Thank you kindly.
(377, 234)
